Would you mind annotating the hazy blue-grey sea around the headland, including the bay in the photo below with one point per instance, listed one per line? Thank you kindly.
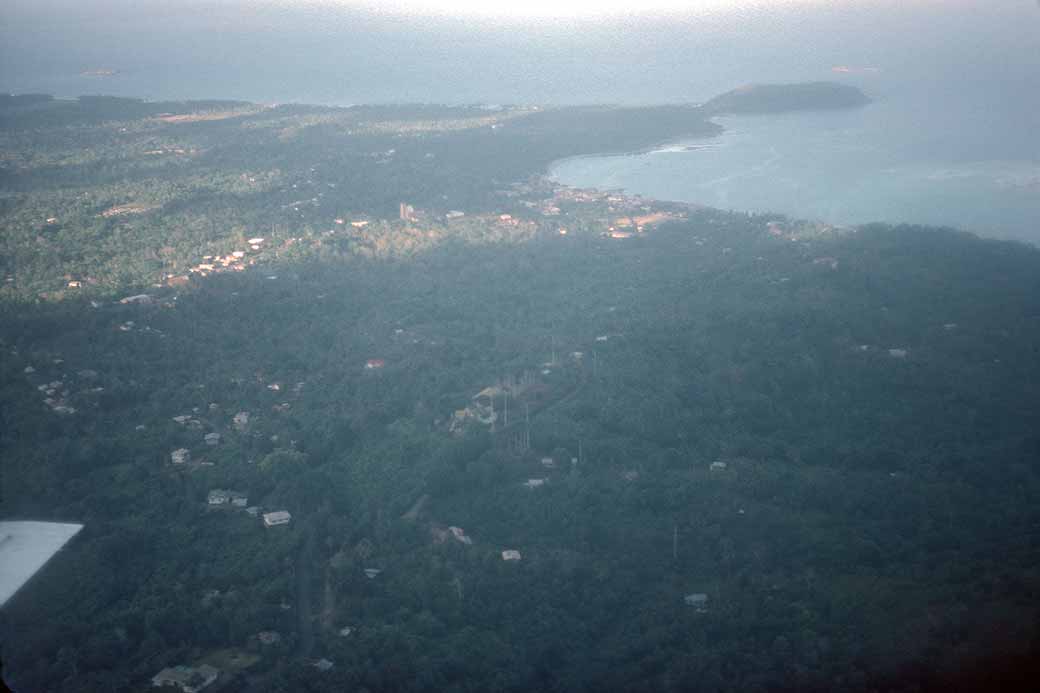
(952, 138)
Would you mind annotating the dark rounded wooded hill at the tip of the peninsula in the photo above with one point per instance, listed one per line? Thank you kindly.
(779, 98)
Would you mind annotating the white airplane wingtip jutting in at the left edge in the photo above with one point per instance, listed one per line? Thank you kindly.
(25, 548)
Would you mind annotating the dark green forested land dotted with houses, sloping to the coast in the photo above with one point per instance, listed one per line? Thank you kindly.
(741, 452)
